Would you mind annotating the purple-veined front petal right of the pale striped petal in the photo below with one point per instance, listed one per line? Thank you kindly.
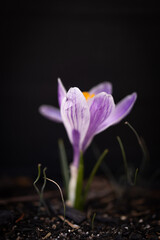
(100, 108)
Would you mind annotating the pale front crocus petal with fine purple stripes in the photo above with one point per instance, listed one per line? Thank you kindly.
(75, 113)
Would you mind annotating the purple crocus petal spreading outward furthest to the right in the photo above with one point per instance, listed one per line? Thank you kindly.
(122, 109)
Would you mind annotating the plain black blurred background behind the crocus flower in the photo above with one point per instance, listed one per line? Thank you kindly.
(83, 43)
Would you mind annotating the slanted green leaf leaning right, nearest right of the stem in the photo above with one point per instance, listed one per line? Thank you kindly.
(94, 170)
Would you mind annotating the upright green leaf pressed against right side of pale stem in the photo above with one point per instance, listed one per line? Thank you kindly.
(78, 204)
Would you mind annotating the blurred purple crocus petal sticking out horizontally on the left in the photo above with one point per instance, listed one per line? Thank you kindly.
(51, 113)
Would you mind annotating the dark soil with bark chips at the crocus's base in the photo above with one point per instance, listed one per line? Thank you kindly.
(133, 215)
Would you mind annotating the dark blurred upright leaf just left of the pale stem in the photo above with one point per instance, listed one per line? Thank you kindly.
(64, 165)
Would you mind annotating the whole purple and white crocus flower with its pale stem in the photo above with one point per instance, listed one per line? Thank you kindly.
(84, 115)
